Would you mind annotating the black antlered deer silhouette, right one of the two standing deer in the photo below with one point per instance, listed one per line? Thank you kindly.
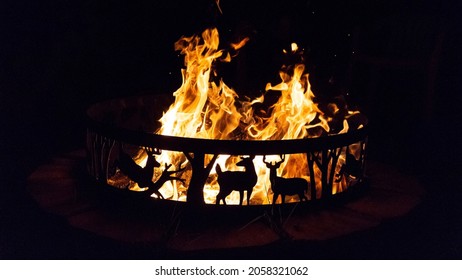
(285, 186)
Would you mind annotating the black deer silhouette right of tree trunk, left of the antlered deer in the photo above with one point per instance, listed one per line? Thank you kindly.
(237, 180)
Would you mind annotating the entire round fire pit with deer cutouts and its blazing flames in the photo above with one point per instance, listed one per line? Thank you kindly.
(211, 148)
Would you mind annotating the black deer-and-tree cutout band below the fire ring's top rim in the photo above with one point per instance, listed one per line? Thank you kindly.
(327, 172)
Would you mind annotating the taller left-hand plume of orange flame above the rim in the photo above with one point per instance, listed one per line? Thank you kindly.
(202, 108)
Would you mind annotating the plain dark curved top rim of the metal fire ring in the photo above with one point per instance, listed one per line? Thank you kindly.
(215, 146)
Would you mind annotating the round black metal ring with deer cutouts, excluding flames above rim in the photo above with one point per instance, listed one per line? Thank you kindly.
(118, 139)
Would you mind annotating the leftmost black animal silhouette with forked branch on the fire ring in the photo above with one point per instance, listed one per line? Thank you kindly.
(143, 175)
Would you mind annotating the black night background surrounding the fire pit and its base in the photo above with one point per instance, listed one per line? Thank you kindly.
(58, 57)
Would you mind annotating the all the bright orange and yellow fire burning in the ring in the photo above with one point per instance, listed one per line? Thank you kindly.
(205, 107)
